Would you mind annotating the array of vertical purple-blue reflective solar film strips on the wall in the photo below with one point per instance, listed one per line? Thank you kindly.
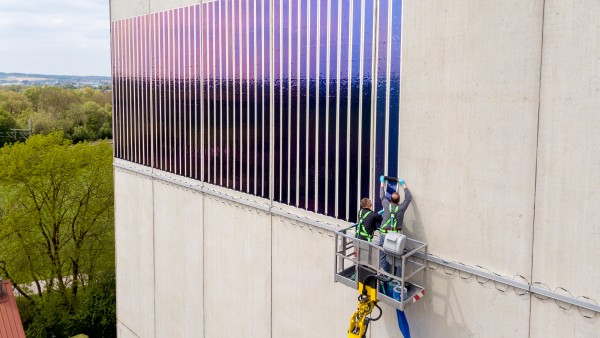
(193, 93)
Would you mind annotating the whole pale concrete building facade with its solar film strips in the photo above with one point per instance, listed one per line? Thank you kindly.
(224, 228)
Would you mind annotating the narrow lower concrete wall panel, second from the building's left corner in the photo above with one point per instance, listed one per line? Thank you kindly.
(179, 266)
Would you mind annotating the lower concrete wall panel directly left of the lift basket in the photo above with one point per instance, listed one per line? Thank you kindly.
(306, 302)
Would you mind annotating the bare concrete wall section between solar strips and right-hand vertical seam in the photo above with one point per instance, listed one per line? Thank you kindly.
(470, 89)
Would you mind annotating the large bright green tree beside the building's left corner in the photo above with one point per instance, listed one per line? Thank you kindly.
(56, 216)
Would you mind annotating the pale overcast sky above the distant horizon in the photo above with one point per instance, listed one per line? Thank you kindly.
(59, 37)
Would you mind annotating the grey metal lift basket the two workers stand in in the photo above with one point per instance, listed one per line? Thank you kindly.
(353, 253)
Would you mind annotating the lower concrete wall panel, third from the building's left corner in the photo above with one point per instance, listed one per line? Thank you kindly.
(237, 278)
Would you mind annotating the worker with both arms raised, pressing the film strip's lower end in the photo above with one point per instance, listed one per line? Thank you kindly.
(393, 215)
